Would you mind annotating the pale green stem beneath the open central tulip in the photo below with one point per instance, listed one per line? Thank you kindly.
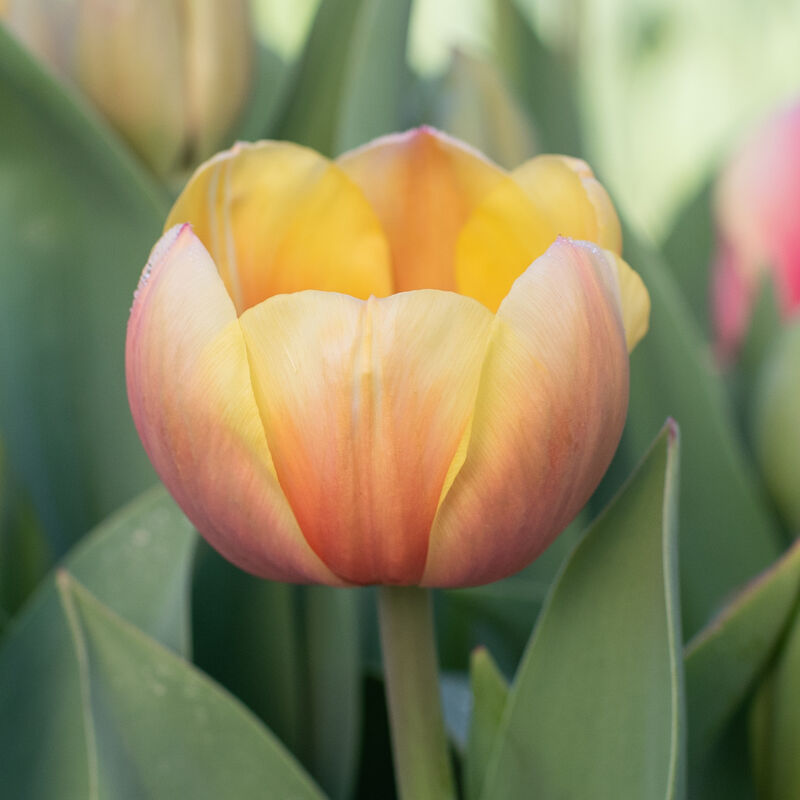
(421, 758)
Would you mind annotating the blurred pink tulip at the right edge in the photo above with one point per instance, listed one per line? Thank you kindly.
(757, 209)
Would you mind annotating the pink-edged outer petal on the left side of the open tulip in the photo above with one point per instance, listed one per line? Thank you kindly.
(193, 405)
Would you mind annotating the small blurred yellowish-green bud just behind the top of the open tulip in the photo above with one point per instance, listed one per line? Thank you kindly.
(477, 107)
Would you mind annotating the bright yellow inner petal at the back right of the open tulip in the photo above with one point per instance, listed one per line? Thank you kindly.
(521, 217)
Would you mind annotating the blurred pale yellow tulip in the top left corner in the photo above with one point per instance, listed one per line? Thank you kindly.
(170, 75)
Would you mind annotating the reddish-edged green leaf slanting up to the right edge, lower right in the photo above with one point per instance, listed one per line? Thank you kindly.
(724, 661)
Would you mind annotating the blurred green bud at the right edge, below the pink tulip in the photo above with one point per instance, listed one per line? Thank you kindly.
(777, 424)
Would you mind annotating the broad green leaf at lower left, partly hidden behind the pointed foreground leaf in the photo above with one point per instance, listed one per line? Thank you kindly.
(138, 563)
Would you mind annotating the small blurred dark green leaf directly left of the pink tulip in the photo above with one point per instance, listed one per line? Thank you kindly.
(688, 252)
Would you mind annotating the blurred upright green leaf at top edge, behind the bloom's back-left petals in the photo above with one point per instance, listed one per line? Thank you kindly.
(350, 81)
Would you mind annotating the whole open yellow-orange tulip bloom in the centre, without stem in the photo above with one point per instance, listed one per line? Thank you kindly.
(390, 368)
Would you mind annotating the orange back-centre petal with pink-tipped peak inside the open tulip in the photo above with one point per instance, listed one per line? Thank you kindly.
(423, 186)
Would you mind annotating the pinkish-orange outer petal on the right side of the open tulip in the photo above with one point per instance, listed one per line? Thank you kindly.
(548, 416)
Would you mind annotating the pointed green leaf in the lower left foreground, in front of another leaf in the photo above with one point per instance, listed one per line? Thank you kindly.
(157, 728)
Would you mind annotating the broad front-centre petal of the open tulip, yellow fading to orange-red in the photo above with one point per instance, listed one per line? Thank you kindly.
(364, 405)
